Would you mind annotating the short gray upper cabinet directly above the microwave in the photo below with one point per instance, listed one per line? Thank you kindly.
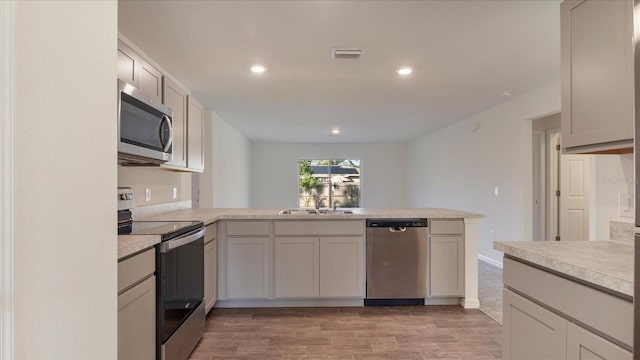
(133, 69)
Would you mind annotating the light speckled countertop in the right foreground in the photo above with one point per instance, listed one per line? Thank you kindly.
(607, 264)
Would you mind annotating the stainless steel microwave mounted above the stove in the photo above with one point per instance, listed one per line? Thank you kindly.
(145, 131)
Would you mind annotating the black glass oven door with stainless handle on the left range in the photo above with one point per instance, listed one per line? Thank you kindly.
(180, 281)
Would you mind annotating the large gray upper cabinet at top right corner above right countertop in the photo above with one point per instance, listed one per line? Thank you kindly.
(597, 76)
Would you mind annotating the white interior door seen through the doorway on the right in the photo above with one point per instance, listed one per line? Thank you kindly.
(574, 197)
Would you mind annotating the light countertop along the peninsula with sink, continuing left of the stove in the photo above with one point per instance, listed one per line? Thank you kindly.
(130, 244)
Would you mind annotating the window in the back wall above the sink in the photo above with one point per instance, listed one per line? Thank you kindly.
(329, 183)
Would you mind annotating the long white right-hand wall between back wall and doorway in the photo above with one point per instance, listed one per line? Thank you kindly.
(460, 165)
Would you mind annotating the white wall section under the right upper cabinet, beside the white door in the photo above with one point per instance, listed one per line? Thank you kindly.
(610, 176)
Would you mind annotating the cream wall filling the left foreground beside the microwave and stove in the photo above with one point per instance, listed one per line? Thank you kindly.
(65, 178)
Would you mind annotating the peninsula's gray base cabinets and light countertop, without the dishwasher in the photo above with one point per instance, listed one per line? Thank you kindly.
(265, 258)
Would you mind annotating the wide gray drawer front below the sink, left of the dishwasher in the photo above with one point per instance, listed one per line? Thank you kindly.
(320, 227)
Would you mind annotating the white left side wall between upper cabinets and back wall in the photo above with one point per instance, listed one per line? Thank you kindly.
(225, 181)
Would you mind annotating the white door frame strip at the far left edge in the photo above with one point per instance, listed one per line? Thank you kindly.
(7, 38)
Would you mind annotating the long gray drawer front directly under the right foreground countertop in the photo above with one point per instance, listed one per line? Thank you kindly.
(573, 299)
